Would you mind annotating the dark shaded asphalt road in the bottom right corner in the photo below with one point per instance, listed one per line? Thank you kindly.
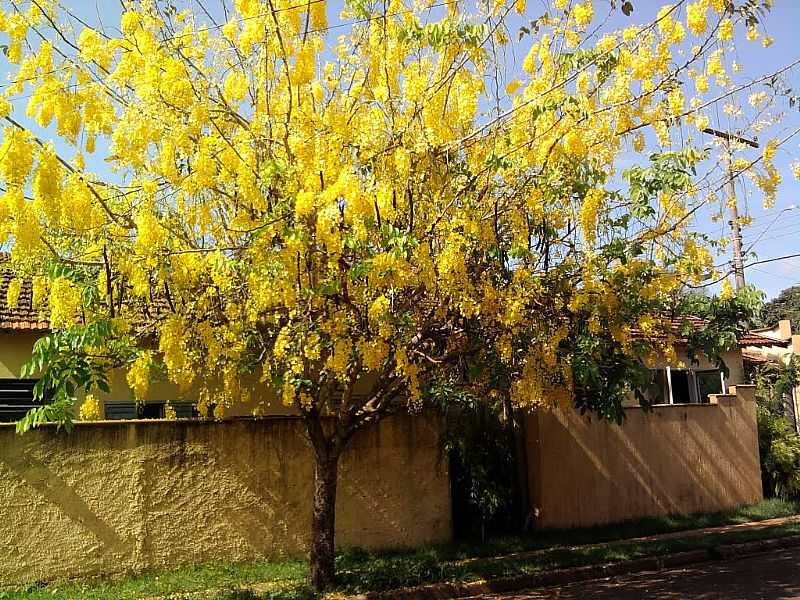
(773, 576)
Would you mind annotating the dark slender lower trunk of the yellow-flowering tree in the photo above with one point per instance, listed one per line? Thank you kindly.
(323, 522)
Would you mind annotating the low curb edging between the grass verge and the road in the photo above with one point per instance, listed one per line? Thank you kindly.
(441, 591)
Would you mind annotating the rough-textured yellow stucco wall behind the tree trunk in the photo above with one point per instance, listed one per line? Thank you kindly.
(122, 496)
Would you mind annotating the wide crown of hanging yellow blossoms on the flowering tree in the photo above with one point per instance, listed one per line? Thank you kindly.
(376, 199)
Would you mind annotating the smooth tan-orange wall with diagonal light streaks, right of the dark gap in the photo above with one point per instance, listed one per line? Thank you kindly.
(671, 460)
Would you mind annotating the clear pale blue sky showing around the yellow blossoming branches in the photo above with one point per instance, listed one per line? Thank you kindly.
(774, 232)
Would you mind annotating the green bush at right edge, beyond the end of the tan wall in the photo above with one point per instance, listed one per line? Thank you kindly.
(778, 442)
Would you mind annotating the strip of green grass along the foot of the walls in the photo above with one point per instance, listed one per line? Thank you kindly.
(361, 571)
